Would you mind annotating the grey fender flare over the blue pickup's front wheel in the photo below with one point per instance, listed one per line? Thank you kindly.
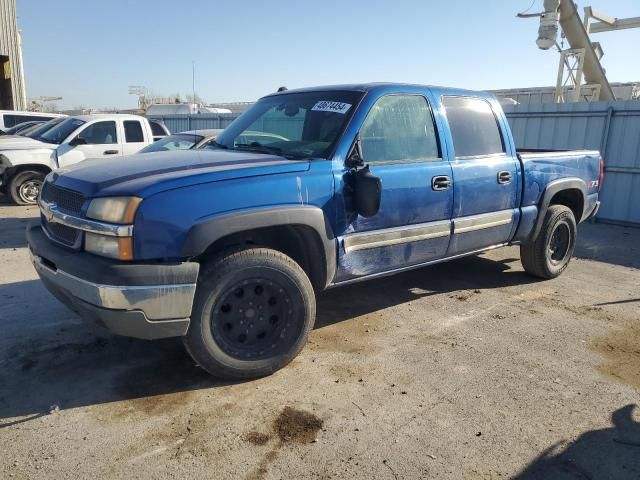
(209, 230)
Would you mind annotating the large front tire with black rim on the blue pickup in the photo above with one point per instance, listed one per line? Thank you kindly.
(252, 314)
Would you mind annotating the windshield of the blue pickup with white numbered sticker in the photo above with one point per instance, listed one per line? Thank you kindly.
(294, 125)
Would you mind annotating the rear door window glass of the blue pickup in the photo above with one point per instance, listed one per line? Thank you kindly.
(474, 127)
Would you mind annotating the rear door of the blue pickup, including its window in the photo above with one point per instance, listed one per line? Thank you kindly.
(486, 176)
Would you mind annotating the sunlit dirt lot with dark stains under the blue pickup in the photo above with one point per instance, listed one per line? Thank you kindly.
(465, 370)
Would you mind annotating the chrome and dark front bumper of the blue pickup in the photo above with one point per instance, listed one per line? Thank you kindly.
(148, 300)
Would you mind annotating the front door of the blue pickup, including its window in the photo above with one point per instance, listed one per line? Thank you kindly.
(400, 142)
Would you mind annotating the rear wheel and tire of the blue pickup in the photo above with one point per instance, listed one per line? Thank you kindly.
(549, 255)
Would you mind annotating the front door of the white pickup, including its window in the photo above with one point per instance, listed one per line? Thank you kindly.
(97, 140)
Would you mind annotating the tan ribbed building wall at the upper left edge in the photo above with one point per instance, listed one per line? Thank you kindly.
(10, 47)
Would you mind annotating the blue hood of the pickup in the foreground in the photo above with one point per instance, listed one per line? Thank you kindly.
(148, 173)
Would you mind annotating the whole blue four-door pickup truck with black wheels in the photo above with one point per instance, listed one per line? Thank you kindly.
(226, 246)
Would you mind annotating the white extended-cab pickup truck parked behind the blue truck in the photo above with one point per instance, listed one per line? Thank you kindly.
(23, 166)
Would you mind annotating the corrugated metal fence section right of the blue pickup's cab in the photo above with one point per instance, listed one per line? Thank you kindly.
(611, 127)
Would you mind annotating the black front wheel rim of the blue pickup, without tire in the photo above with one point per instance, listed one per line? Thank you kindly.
(252, 319)
